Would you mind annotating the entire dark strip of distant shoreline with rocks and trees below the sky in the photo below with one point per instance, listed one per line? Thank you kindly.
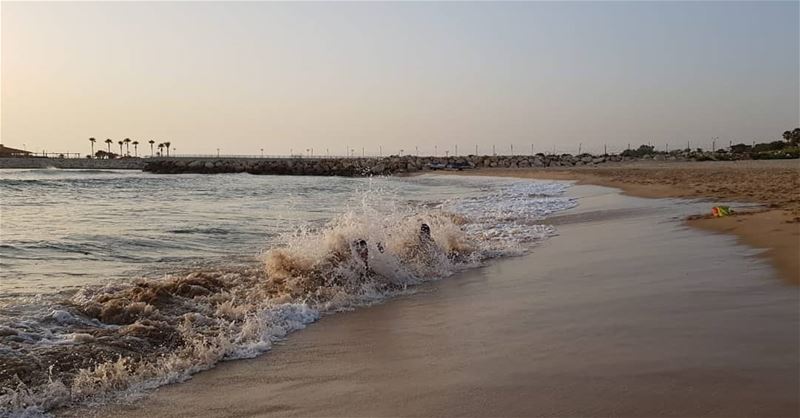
(353, 166)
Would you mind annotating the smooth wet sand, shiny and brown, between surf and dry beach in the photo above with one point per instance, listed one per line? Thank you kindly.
(627, 312)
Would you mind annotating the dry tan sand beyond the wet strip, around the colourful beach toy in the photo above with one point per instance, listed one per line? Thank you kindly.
(774, 184)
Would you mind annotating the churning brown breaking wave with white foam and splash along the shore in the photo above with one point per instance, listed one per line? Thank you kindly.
(106, 342)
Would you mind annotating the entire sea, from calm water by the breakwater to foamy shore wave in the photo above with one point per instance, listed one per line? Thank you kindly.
(117, 282)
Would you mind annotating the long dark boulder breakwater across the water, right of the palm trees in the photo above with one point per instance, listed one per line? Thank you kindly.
(366, 166)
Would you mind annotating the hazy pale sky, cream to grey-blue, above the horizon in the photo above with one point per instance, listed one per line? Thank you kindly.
(420, 77)
